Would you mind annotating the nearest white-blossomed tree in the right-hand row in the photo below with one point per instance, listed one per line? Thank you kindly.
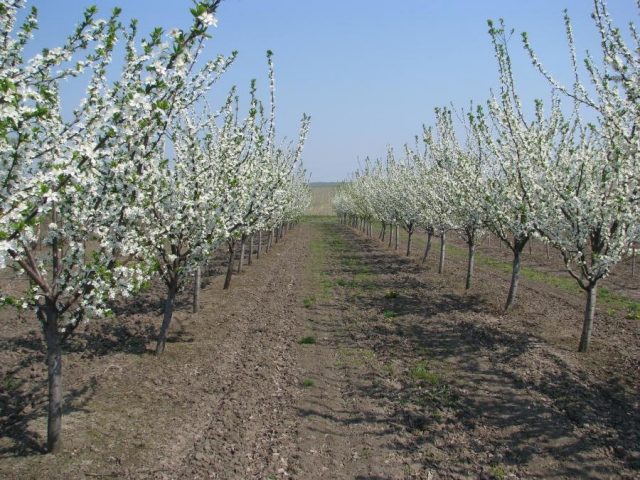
(591, 185)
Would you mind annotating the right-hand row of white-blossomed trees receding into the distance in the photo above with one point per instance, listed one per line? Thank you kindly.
(552, 175)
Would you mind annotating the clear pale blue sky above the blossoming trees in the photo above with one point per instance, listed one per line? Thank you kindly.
(368, 72)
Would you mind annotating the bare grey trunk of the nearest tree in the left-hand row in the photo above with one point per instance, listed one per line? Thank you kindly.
(54, 377)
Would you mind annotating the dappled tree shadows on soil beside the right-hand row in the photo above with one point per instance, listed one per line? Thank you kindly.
(474, 391)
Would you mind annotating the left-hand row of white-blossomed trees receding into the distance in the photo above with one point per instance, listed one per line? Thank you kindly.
(91, 206)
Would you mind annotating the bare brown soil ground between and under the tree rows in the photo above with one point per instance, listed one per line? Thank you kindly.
(408, 378)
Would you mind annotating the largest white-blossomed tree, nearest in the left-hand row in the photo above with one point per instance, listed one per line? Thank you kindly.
(78, 178)
